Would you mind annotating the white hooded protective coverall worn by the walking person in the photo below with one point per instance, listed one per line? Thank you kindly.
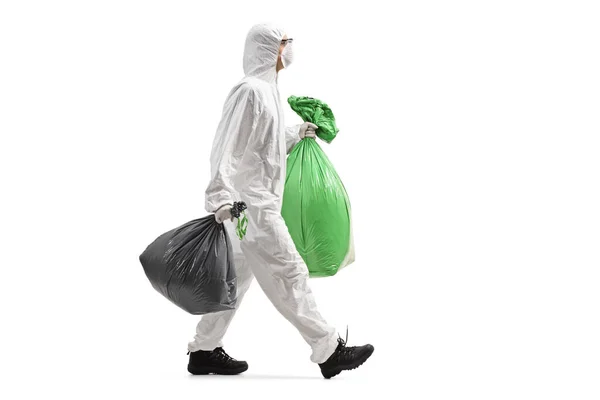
(248, 163)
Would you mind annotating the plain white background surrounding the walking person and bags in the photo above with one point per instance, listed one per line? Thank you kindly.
(469, 146)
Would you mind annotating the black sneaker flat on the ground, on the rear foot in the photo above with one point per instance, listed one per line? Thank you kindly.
(214, 362)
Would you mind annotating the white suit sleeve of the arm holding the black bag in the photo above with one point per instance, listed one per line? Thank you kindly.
(237, 126)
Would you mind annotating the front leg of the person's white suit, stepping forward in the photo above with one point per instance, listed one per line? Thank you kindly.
(283, 276)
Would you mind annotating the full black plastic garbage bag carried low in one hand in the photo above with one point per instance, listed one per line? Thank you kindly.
(192, 265)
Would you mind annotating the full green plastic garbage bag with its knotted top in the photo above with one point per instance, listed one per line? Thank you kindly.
(316, 207)
